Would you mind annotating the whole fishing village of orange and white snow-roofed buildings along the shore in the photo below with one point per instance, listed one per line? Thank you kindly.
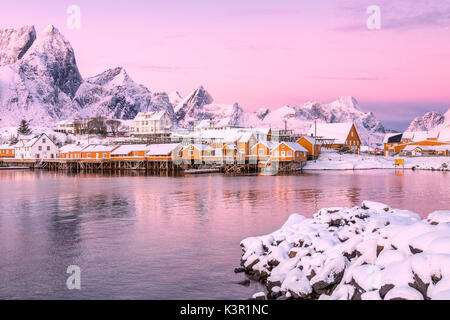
(153, 145)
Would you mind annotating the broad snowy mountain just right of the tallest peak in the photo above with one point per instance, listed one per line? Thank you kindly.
(113, 94)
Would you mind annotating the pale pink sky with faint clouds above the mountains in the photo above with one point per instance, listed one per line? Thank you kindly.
(265, 53)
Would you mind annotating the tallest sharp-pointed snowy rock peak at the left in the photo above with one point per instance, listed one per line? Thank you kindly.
(39, 87)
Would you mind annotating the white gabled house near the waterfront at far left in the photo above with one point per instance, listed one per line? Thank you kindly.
(39, 147)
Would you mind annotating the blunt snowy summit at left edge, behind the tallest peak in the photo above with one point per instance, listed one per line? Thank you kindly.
(14, 43)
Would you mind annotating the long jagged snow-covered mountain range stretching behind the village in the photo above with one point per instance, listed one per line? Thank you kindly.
(40, 82)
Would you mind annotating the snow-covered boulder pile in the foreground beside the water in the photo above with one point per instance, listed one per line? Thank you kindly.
(371, 252)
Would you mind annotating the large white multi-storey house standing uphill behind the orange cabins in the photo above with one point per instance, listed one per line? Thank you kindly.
(148, 123)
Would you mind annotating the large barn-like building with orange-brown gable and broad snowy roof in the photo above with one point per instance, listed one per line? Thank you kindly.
(336, 135)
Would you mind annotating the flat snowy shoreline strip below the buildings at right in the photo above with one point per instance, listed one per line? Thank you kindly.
(331, 160)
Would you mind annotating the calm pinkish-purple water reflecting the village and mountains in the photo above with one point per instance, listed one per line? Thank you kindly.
(142, 237)
